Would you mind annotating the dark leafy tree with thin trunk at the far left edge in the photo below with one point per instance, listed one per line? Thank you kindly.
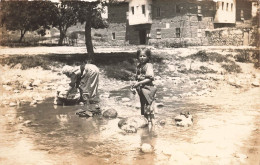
(26, 16)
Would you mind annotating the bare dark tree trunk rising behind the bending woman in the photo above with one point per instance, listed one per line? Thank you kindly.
(88, 41)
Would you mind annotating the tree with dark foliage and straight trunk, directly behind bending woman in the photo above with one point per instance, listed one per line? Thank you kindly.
(89, 12)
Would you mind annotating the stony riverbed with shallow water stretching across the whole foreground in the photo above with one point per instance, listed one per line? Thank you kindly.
(220, 93)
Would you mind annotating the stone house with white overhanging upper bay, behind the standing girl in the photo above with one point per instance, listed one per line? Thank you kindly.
(179, 21)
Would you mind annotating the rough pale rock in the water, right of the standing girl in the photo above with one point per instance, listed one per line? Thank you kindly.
(184, 120)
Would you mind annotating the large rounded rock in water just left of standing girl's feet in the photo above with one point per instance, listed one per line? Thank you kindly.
(131, 124)
